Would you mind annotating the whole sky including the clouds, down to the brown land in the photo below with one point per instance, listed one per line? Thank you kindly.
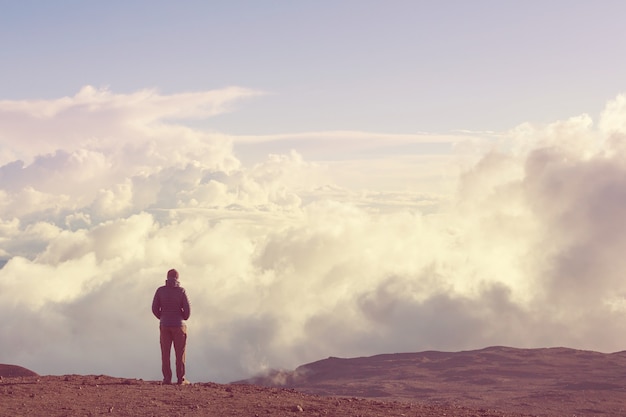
(329, 178)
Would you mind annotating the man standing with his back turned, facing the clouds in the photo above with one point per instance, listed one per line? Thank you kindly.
(171, 306)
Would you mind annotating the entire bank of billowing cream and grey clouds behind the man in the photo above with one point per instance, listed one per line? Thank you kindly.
(102, 193)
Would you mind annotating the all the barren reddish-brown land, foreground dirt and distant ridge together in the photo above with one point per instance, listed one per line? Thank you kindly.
(496, 381)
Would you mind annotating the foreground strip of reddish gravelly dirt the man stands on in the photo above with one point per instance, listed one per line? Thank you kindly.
(77, 395)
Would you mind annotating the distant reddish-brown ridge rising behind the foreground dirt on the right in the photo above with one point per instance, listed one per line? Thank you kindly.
(537, 381)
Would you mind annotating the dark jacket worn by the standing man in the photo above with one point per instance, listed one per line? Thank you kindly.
(170, 304)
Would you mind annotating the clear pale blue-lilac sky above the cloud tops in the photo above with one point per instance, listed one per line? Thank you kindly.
(381, 66)
